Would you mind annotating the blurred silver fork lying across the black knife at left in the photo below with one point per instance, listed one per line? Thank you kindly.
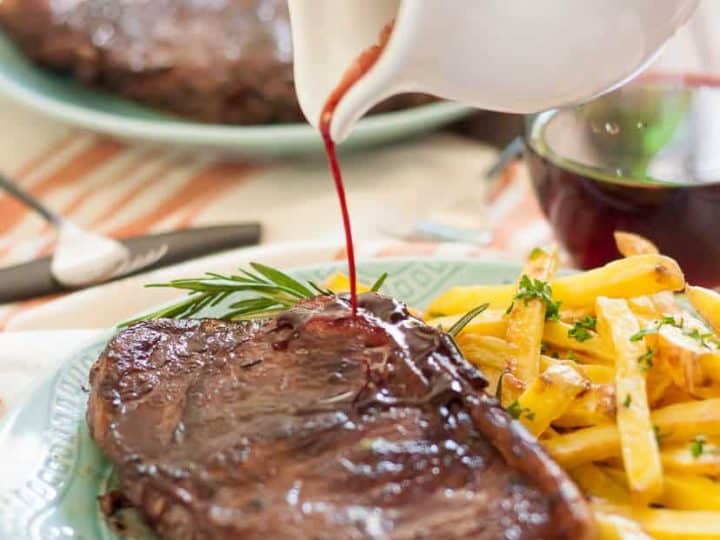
(81, 257)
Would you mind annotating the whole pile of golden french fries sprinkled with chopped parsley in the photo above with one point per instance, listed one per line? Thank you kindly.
(619, 382)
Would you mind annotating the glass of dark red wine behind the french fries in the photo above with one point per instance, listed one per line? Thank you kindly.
(643, 159)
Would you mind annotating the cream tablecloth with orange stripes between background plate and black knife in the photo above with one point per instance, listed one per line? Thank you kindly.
(124, 189)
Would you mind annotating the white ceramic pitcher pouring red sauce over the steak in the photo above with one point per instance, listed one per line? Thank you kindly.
(519, 56)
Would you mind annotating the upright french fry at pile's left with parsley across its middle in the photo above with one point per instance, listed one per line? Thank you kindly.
(526, 320)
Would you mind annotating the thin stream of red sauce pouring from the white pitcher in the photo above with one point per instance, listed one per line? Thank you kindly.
(355, 71)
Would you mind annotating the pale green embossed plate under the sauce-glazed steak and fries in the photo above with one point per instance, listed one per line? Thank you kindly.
(51, 473)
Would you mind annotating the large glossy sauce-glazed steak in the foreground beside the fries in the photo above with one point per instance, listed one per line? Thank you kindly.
(318, 425)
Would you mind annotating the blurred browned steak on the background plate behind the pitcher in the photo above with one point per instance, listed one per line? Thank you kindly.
(214, 60)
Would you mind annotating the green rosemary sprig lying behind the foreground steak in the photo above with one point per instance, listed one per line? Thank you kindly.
(272, 291)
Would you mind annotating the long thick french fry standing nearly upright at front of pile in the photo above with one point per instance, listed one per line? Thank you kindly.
(640, 454)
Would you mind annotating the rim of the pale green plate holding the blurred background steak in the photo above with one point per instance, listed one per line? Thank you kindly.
(64, 99)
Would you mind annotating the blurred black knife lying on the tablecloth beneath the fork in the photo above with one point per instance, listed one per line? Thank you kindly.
(32, 279)
